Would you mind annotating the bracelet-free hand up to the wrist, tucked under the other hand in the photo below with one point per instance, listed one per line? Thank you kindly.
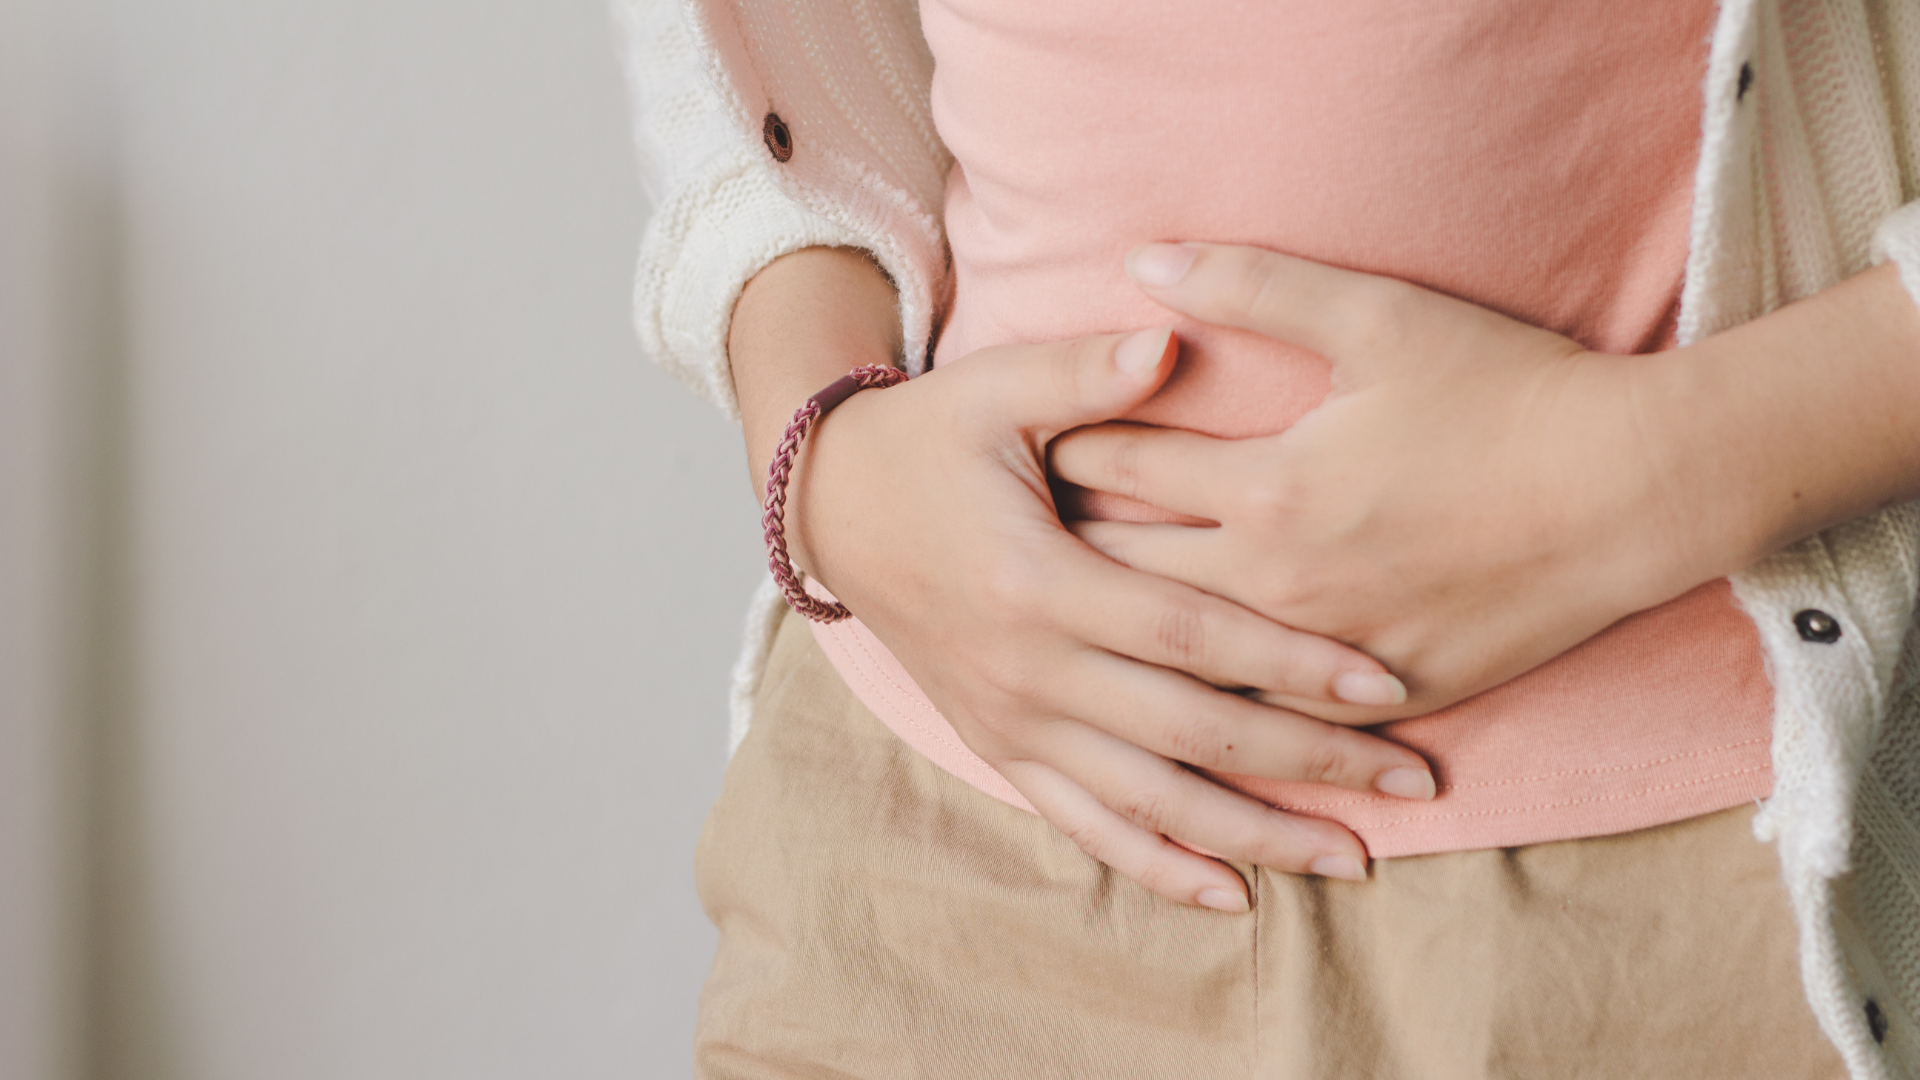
(1474, 499)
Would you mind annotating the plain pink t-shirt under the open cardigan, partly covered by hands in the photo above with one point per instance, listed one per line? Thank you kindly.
(1535, 159)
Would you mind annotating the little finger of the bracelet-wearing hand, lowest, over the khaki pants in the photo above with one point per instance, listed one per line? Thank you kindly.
(1147, 858)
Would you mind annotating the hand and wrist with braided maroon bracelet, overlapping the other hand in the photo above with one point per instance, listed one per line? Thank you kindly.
(1088, 685)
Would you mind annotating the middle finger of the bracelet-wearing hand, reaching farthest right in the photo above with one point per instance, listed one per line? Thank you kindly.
(1186, 720)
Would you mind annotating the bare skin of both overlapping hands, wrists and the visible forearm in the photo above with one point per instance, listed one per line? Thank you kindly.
(1474, 499)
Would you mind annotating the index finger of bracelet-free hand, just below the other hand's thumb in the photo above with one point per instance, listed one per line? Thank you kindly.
(1176, 470)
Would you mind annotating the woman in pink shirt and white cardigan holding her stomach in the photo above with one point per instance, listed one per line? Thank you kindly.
(926, 510)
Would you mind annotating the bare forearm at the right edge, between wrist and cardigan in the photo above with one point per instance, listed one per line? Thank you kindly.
(1794, 422)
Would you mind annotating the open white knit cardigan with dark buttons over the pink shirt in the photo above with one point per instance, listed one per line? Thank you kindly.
(1810, 172)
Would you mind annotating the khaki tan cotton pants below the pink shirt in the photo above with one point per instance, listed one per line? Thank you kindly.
(880, 920)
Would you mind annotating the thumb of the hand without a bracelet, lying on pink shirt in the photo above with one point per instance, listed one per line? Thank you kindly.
(1335, 312)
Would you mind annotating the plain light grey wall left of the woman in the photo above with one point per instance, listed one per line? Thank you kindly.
(412, 583)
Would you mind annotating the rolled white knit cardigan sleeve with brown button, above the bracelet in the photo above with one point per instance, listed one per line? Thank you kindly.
(869, 172)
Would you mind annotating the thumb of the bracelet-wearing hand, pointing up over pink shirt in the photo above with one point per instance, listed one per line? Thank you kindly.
(1057, 387)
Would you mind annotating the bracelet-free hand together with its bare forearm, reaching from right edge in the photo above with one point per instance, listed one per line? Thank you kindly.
(1477, 497)
